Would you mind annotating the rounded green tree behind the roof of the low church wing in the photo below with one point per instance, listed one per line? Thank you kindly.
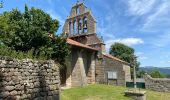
(125, 53)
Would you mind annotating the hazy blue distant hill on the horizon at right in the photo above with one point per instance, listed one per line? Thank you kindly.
(163, 70)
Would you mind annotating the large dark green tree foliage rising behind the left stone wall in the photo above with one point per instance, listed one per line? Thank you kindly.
(30, 31)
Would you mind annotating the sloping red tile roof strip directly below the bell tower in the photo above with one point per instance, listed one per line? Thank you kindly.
(75, 43)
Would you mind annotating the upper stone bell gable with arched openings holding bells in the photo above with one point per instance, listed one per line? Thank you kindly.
(80, 21)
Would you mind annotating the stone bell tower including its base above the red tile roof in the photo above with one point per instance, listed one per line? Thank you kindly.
(80, 26)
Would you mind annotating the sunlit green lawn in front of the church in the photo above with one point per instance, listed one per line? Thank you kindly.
(106, 92)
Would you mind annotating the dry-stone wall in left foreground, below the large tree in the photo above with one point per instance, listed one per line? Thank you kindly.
(28, 80)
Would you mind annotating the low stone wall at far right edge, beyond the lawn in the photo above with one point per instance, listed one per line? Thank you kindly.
(157, 84)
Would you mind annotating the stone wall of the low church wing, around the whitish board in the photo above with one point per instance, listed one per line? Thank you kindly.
(106, 65)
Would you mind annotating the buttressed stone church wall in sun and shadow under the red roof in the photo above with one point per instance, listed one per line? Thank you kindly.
(80, 67)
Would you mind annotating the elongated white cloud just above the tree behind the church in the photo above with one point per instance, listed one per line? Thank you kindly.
(126, 41)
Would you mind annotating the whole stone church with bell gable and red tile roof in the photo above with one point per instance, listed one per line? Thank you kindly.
(88, 62)
